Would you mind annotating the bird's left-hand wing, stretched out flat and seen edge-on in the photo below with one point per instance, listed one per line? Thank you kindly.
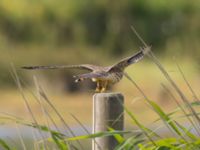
(82, 66)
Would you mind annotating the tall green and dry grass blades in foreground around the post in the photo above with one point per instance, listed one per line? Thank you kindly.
(145, 138)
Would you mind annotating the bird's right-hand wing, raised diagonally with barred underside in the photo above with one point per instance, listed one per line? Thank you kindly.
(130, 60)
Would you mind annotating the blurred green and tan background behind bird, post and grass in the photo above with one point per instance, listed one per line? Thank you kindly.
(47, 32)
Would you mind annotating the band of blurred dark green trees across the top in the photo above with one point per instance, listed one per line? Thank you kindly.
(95, 23)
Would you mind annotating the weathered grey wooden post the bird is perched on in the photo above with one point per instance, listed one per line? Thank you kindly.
(107, 112)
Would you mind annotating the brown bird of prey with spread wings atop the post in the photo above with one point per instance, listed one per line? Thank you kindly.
(103, 76)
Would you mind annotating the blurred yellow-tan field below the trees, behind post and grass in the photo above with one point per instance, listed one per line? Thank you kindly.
(82, 101)
